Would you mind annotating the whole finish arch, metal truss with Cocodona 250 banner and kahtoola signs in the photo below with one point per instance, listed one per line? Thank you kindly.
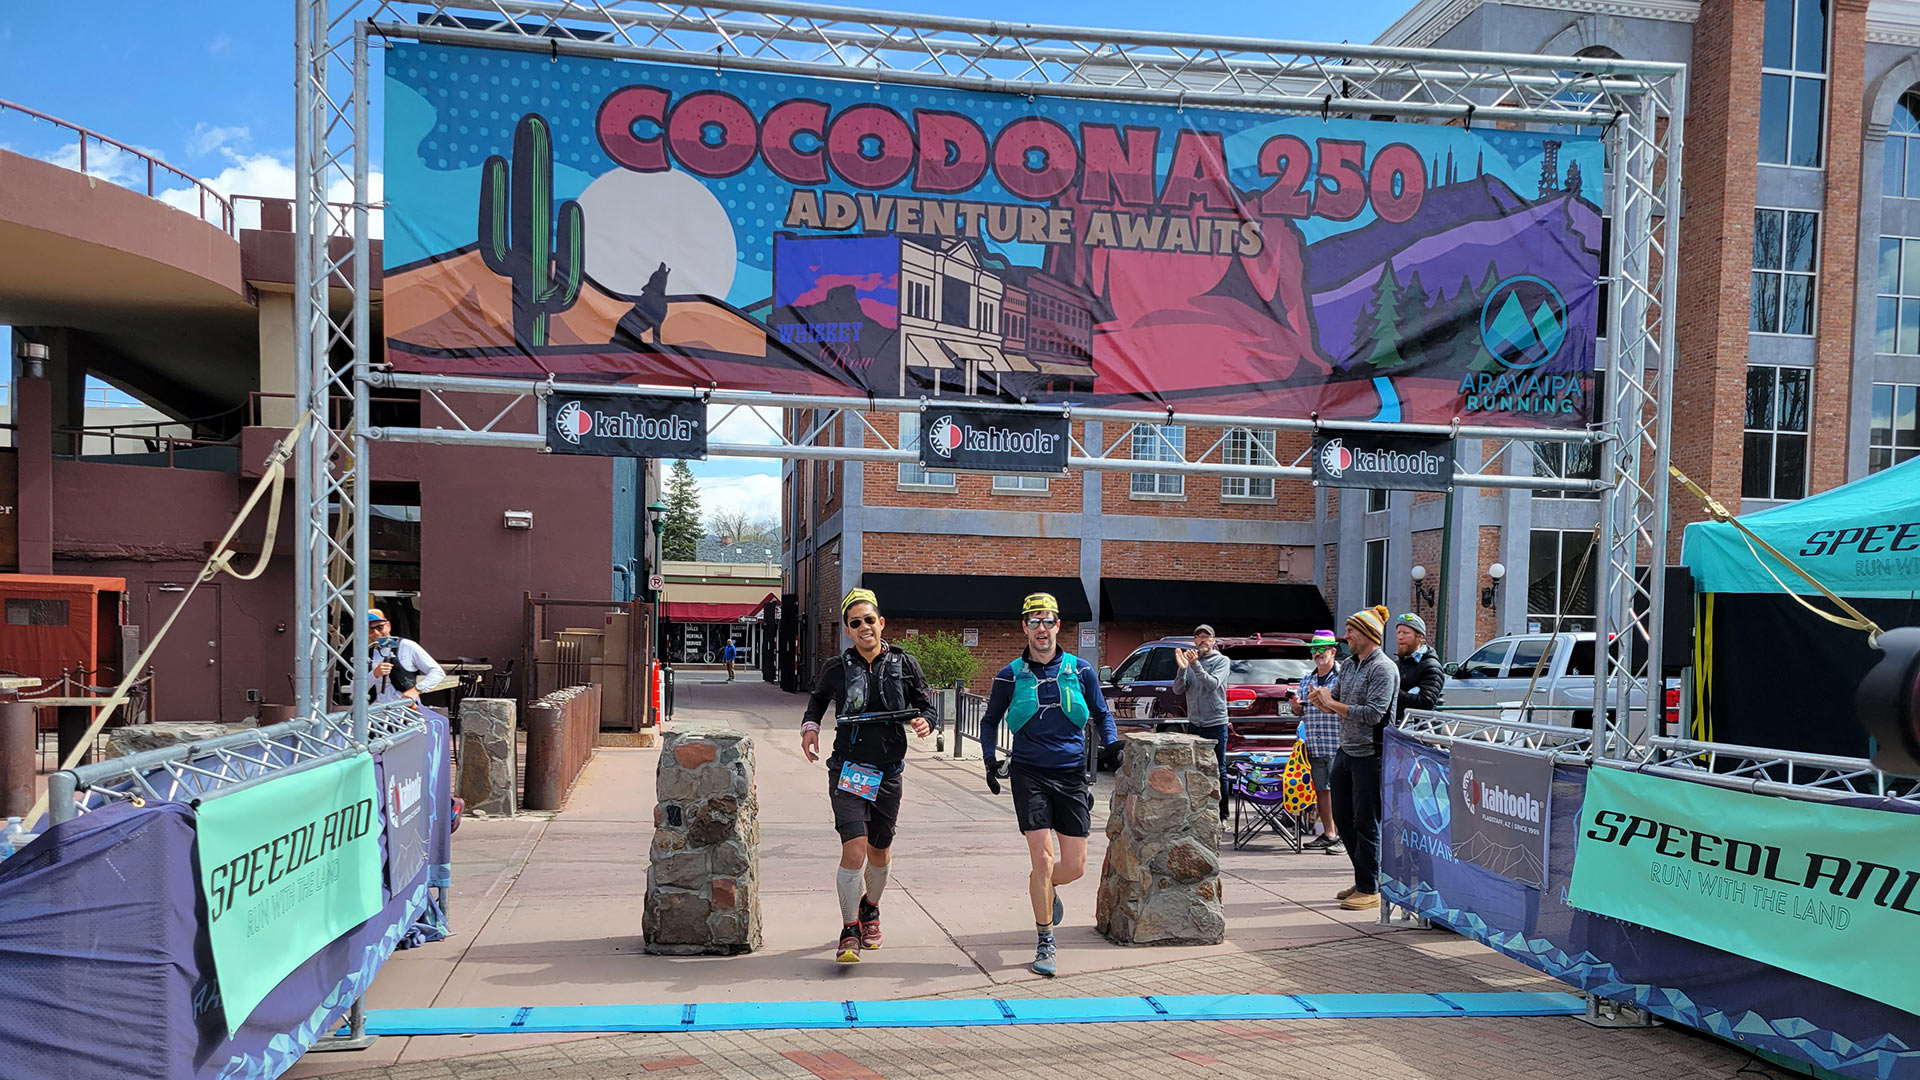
(631, 212)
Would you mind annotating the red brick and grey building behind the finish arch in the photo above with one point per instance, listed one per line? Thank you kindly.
(1798, 370)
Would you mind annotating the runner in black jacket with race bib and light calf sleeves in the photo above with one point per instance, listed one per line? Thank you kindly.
(869, 760)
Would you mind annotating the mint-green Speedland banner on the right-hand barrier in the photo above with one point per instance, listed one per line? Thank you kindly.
(1823, 891)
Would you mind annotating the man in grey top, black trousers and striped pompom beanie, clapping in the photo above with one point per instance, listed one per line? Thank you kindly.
(1364, 700)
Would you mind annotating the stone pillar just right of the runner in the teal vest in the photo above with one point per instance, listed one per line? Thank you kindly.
(1161, 881)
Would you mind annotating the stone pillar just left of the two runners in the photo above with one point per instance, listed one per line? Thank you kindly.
(704, 875)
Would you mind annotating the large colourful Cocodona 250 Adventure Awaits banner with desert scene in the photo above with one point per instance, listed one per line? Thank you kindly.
(688, 228)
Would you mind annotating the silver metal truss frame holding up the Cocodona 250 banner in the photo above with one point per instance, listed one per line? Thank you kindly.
(1637, 105)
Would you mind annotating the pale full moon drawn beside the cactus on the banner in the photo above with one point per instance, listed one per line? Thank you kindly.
(638, 222)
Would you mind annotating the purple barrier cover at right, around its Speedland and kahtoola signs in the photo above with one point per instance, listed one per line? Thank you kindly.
(1733, 996)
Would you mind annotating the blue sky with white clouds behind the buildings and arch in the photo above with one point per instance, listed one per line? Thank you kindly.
(210, 91)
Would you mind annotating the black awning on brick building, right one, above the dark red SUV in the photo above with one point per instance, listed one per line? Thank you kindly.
(1228, 606)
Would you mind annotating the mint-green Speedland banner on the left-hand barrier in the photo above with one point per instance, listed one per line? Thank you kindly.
(287, 868)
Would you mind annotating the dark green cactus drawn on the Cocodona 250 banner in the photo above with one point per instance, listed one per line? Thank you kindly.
(519, 237)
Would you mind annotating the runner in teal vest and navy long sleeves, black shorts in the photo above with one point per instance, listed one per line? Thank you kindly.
(1049, 699)
